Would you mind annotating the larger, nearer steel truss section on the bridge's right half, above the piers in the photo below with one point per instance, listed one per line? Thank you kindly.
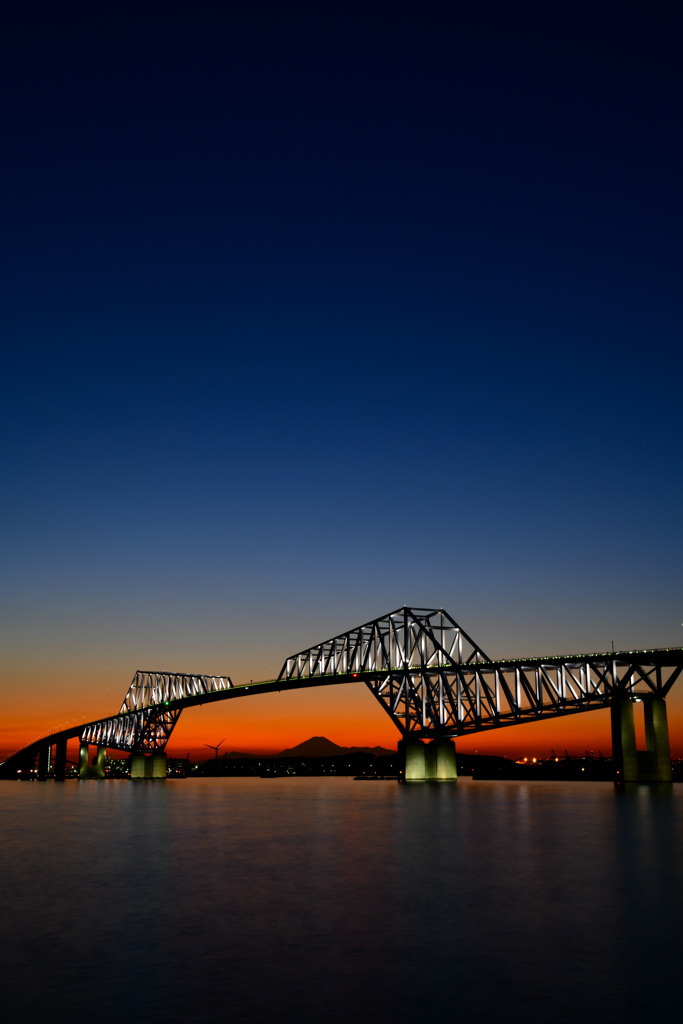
(434, 680)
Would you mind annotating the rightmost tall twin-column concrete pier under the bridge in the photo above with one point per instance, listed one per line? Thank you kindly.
(632, 765)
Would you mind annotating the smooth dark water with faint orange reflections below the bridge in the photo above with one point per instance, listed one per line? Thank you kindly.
(328, 901)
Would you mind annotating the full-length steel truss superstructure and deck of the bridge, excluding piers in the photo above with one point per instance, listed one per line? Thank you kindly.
(431, 677)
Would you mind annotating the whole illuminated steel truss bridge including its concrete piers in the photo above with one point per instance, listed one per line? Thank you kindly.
(429, 675)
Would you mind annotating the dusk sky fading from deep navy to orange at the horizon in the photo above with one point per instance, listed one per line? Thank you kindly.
(316, 311)
